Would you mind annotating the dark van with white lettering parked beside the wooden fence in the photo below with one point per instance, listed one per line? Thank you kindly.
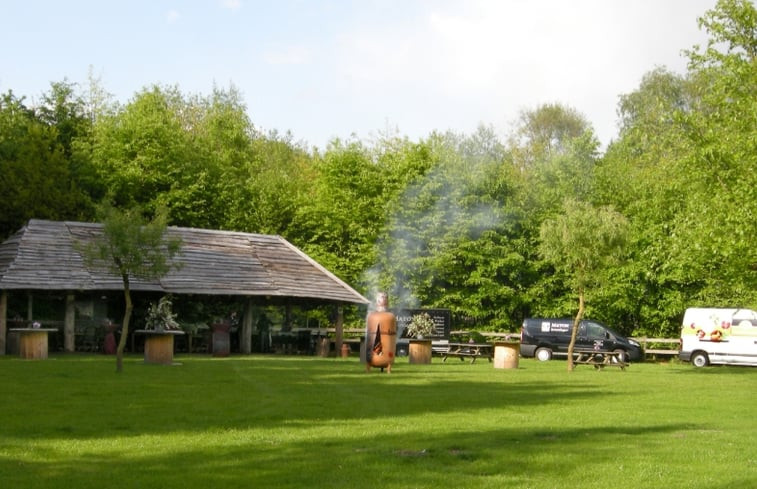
(544, 338)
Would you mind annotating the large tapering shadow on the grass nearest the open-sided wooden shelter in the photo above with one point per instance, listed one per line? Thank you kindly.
(81, 398)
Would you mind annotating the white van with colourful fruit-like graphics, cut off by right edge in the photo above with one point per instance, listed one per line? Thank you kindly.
(719, 336)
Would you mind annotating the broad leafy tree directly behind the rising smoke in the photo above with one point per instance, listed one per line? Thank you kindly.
(452, 237)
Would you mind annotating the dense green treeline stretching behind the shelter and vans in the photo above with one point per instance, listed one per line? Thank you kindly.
(451, 221)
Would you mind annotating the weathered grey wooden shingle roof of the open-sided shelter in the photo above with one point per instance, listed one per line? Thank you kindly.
(46, 255)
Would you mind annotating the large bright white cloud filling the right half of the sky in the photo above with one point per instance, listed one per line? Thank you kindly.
(484, 61)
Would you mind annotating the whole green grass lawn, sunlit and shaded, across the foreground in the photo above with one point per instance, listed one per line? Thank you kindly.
(305, 422)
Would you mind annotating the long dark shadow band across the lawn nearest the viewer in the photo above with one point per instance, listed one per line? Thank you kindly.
(414, 459)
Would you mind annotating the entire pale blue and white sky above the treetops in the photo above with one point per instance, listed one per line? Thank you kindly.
(324, 69)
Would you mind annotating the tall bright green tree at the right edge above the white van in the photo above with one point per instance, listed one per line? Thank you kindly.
(722, 201)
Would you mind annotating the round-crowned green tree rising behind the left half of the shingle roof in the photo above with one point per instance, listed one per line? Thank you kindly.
(147, 155)
